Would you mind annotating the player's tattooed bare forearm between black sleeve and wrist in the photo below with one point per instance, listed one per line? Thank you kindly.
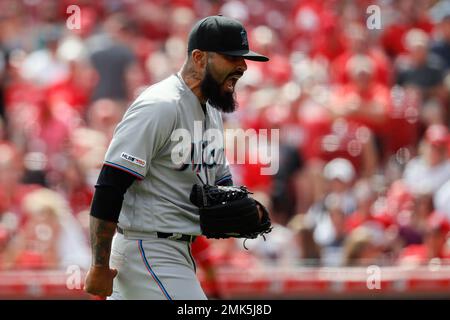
(101, 232)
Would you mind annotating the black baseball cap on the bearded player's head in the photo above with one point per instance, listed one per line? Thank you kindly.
(223, 35)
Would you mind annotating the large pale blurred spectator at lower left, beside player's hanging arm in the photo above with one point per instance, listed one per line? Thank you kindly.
(50, 237)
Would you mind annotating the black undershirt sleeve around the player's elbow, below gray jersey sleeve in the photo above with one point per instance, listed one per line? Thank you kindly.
(111, 186)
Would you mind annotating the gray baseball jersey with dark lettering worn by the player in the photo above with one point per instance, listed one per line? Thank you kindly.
(143, 145)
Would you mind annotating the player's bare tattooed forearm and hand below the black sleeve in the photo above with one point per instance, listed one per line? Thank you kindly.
(99, 280)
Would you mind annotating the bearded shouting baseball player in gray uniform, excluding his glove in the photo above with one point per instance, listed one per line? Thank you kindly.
(142, 194)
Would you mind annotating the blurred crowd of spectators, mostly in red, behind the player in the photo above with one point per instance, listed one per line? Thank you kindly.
(363, 115)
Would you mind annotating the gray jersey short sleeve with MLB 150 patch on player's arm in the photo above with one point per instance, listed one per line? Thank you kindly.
(144, 130)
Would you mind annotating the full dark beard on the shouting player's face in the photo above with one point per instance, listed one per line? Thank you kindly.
(212, 90)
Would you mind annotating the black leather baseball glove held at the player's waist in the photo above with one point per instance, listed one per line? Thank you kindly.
(227, 211)
